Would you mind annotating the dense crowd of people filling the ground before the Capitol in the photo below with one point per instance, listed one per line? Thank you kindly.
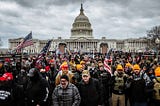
(81, 80)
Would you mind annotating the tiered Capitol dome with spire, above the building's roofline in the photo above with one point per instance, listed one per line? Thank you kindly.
(81, 26)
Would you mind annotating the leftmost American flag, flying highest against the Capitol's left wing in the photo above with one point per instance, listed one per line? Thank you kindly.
(27, 41)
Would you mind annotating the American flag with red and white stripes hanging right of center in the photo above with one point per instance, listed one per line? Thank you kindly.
(107, 60)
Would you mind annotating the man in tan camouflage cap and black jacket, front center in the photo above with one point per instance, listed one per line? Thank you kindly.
(90, 90)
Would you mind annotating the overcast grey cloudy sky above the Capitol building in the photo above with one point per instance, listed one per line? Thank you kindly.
(114, 19)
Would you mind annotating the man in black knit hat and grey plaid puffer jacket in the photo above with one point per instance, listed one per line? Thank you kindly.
(66, 93)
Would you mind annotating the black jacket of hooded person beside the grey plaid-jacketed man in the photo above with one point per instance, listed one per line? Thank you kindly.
(37, 92)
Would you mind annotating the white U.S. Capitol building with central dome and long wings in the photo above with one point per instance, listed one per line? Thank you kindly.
(82, 40)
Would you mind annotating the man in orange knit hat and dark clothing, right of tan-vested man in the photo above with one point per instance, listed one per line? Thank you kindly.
(139, 82)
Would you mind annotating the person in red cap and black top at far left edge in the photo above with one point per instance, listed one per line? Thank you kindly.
(10, 93)
